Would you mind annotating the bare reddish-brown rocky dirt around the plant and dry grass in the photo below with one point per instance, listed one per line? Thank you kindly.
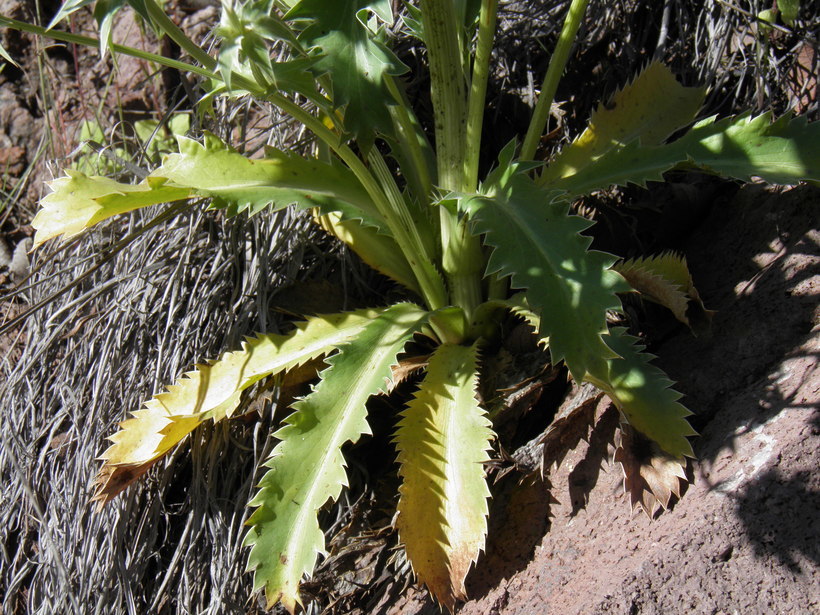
(744, 538)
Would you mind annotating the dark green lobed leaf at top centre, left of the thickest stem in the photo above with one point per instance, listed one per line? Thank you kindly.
(353, 57)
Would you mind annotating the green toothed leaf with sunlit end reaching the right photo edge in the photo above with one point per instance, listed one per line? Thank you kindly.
(785, 151)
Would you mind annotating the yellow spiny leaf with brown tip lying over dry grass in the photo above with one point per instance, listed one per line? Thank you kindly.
(213, 391)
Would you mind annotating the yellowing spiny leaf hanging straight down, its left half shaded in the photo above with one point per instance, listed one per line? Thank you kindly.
(443, 439)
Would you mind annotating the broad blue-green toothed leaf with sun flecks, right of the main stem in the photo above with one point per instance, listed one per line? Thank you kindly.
(538, 244)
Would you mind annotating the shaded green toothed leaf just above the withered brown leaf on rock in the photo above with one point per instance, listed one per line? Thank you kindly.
(644, 395)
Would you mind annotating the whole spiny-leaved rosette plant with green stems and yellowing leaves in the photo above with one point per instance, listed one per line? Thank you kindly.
(468, 250)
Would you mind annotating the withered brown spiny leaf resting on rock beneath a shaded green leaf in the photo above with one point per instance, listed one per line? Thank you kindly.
(651, 475)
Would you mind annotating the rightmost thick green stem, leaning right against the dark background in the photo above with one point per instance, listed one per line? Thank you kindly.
(558, 62)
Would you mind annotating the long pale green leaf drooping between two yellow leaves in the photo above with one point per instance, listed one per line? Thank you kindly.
(306, 468)
